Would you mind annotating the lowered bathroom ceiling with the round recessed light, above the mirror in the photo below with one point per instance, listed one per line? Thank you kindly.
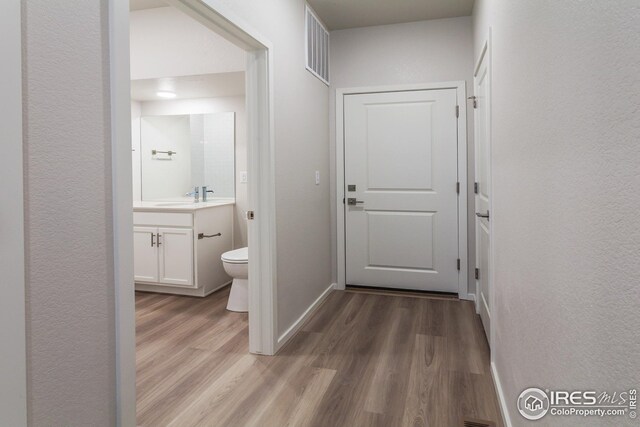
(190, 87)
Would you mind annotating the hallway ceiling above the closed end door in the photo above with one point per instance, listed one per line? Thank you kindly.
(342, 14)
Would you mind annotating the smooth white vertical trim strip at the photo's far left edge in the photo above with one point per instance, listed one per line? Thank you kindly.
(13, 369)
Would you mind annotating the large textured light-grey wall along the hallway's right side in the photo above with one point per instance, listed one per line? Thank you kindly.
(565, 156)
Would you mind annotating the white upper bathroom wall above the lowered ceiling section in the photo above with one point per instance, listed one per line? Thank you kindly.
(167, 43)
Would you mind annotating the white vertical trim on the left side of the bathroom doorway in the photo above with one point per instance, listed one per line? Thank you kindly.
(122, 212)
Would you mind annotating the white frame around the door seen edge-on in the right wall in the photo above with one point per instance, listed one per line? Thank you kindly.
(485, 53)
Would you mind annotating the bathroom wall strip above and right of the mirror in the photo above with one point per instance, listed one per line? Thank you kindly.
(216, 105)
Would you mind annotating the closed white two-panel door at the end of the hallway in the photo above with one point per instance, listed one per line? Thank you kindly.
(401, 171)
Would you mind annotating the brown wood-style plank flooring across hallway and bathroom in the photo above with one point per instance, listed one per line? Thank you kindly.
(361, 360)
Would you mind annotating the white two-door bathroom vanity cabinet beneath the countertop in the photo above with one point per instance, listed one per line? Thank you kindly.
(179, 252)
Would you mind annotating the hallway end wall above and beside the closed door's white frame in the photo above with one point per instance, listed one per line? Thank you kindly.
(417, 52)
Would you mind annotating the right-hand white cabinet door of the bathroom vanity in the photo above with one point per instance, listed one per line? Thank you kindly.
(175, 256)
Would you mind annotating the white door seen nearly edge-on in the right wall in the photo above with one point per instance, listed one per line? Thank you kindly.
(482, 87)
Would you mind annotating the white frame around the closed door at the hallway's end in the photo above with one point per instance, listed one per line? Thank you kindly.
(460, 87)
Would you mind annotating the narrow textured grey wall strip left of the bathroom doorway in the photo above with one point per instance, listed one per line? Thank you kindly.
(70, 291)
